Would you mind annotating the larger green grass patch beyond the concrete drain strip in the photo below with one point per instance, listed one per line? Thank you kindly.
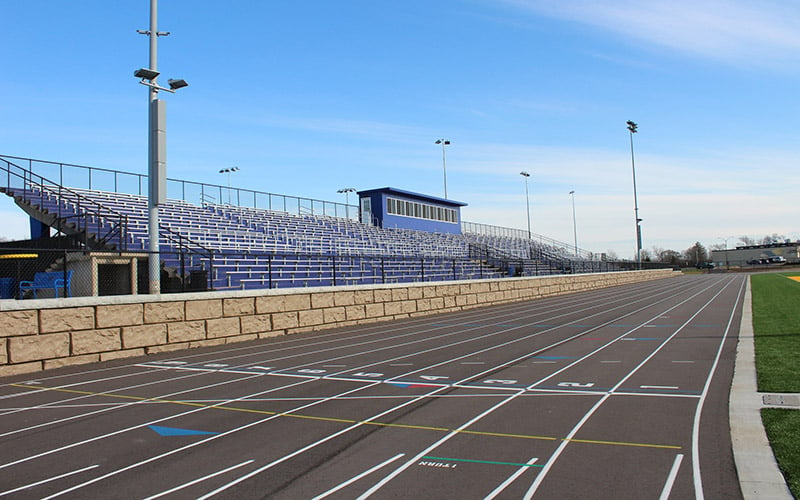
(776, 323)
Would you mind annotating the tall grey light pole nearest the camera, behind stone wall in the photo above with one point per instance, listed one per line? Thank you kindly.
(156, 145)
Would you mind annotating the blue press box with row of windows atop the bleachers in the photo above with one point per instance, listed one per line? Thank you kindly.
(394, 208)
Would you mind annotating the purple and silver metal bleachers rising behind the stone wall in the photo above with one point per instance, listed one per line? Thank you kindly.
(242, 247)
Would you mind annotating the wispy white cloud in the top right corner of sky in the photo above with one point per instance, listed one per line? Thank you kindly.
(739, 32)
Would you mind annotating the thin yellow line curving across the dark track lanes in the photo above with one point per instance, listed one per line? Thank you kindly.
(347, 421)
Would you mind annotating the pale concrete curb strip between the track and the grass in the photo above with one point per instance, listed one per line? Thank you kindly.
(758, 471)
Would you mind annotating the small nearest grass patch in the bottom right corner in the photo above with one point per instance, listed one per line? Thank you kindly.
(783, 431)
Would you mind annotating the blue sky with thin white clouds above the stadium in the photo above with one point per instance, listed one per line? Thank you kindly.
(307, 97)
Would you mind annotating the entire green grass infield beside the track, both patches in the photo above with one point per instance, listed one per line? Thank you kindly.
(776, 323)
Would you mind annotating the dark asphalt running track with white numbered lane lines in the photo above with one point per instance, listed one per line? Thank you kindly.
(616, 393)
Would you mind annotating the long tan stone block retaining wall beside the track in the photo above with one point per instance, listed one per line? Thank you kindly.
(42, 334)
